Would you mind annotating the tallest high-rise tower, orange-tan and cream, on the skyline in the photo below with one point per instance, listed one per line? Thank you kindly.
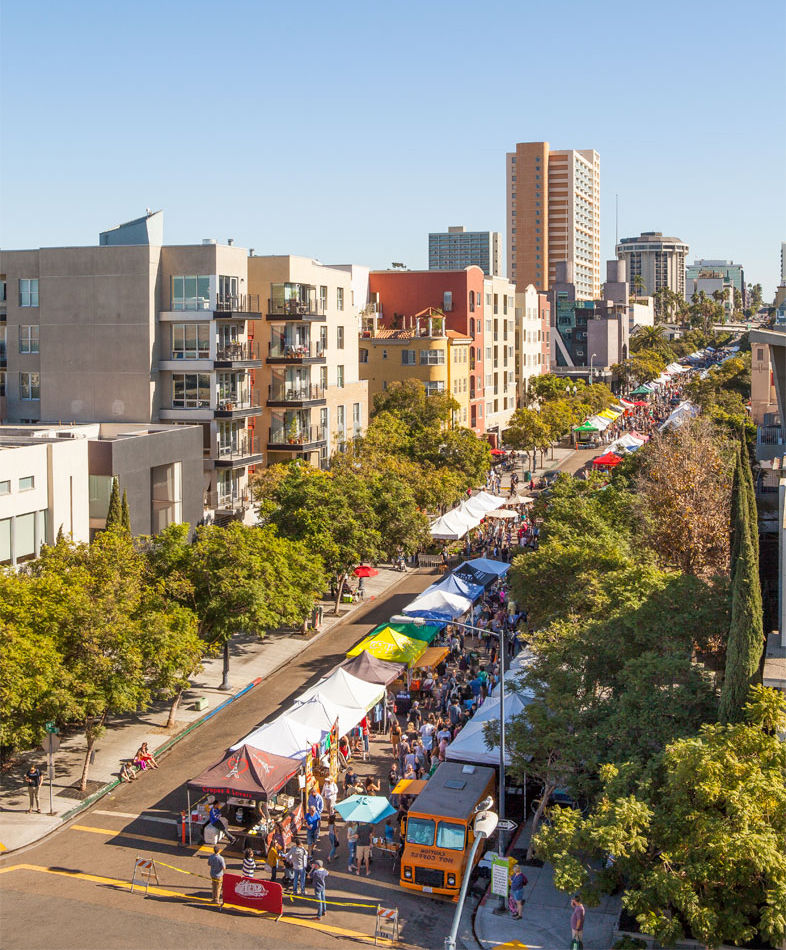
(553, 215)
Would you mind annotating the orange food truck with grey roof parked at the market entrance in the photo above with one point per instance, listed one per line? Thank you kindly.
(439, 832)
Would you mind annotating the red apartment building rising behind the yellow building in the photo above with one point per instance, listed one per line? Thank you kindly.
(400, 294)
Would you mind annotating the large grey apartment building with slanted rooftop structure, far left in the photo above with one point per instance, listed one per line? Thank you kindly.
(134, 331)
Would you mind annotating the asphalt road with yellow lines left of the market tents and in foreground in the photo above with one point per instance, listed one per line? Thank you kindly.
(71, 891)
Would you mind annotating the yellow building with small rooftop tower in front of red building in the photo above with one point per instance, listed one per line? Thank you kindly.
(422, 350)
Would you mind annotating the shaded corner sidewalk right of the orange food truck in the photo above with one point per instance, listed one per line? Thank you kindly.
(545, 924)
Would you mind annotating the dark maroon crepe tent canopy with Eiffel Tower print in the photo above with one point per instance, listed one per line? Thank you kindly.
(246, 773)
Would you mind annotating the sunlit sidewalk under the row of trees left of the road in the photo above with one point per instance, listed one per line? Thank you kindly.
(251, 660)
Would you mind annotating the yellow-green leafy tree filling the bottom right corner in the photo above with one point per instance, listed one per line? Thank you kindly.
(701, 845)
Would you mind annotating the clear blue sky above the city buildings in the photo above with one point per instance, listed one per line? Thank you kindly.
(347, 131)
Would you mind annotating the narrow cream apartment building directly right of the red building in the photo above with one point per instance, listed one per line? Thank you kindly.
(499, 384)
